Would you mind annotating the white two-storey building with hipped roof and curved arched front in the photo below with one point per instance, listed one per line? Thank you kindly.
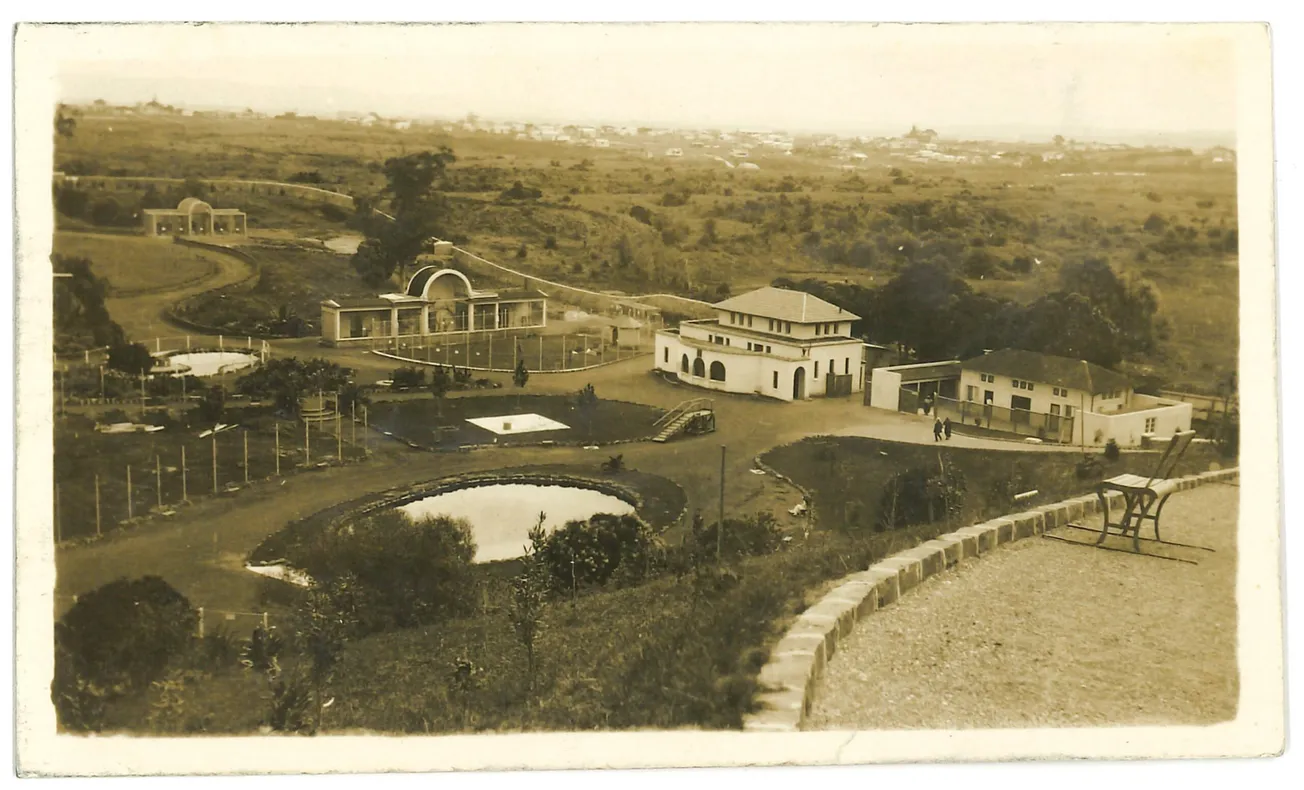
(773, 342)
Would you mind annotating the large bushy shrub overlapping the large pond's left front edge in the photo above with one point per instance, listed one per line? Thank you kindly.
(401, 572)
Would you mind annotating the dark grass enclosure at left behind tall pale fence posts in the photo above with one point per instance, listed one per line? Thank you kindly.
(81, 454)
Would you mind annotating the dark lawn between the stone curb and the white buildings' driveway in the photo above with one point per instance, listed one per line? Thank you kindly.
(848, 475)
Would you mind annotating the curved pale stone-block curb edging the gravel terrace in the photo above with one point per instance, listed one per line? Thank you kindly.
(796, 664)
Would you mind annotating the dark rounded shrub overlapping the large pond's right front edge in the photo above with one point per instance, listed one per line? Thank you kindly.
(590, 553)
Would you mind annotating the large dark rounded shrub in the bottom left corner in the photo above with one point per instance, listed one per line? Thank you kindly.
(117, 641)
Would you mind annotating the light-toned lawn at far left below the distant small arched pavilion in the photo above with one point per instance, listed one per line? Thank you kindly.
(138, 264)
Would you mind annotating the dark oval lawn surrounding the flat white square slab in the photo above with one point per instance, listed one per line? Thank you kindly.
(418, 420)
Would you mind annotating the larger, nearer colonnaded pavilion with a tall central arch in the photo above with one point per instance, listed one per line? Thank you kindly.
(436, 302)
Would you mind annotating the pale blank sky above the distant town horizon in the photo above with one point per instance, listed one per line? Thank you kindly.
(1019, 79)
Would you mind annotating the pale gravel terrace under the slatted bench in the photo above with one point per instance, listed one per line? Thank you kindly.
(1045, 634)
